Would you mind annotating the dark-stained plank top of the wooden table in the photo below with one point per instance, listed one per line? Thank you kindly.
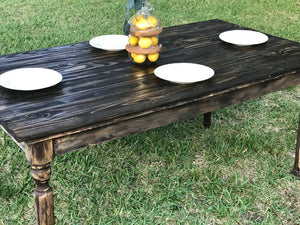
(101, 86)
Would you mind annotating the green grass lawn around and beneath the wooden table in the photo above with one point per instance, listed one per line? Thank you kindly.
(237, 172)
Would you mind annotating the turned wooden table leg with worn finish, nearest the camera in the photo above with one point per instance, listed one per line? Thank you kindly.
(40, 156)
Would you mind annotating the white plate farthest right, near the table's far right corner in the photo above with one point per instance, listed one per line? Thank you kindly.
(243, 37)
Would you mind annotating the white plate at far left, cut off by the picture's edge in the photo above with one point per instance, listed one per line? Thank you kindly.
(29, 79)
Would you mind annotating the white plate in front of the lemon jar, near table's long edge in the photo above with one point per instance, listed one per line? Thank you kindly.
(184, 73)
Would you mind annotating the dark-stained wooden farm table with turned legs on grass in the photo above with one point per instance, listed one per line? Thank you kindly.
(103, 96)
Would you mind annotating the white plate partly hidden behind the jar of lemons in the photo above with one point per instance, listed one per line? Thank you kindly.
(110, 42)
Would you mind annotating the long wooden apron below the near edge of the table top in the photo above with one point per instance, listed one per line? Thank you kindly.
(142, 122)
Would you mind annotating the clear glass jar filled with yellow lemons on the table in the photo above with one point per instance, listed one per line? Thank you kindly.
(144, 46)
